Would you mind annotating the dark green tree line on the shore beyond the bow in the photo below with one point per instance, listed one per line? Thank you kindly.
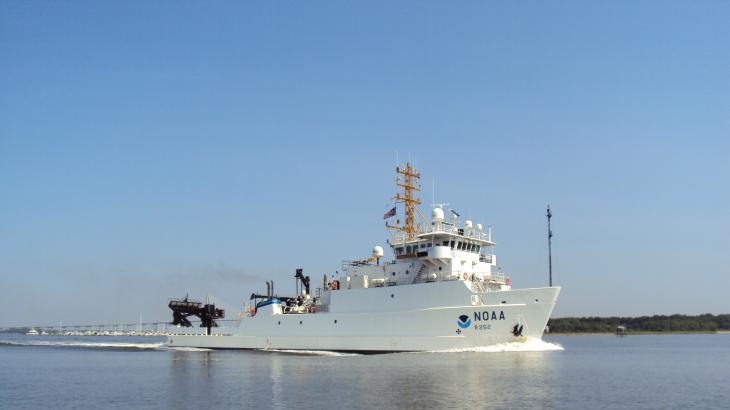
(657, 323)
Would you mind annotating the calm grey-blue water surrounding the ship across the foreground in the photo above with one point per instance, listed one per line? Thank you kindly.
(571, 372)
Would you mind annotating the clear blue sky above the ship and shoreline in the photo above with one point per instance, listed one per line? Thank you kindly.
(148, 149)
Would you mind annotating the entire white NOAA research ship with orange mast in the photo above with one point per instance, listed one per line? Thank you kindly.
(441, 291)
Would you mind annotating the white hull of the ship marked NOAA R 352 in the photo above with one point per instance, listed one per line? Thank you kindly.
(422, 317)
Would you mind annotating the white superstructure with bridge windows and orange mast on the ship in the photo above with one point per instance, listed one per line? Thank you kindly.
(424, 253)
